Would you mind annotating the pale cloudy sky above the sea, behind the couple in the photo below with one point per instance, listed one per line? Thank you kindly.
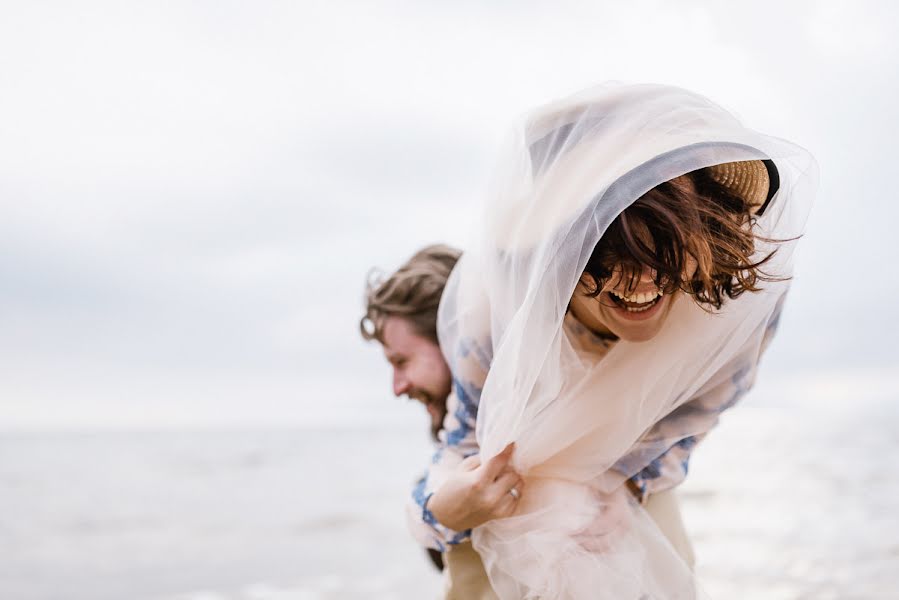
(191, 193)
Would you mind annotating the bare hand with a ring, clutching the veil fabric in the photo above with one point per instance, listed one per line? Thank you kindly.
(476, 493)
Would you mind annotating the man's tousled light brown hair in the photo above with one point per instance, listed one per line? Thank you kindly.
(412, 292)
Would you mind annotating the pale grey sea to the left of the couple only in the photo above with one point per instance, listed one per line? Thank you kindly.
(209, 515)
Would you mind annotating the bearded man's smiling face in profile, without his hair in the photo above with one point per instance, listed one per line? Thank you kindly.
(419, 370)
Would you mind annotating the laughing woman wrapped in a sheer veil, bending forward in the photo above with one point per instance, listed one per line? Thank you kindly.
(629, 269)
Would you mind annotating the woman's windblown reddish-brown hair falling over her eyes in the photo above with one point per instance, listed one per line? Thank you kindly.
(690, 218)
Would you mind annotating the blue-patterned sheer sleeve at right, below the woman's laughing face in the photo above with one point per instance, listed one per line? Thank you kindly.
(666, 449)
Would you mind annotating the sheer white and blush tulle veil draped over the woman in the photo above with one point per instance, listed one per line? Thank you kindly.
(569, 171)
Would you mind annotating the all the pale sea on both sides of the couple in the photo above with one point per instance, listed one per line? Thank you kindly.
(782, 502)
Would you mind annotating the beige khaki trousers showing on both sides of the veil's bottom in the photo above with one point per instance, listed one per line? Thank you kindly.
(466, 578)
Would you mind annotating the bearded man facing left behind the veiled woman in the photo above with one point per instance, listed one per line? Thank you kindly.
(401, 314)
